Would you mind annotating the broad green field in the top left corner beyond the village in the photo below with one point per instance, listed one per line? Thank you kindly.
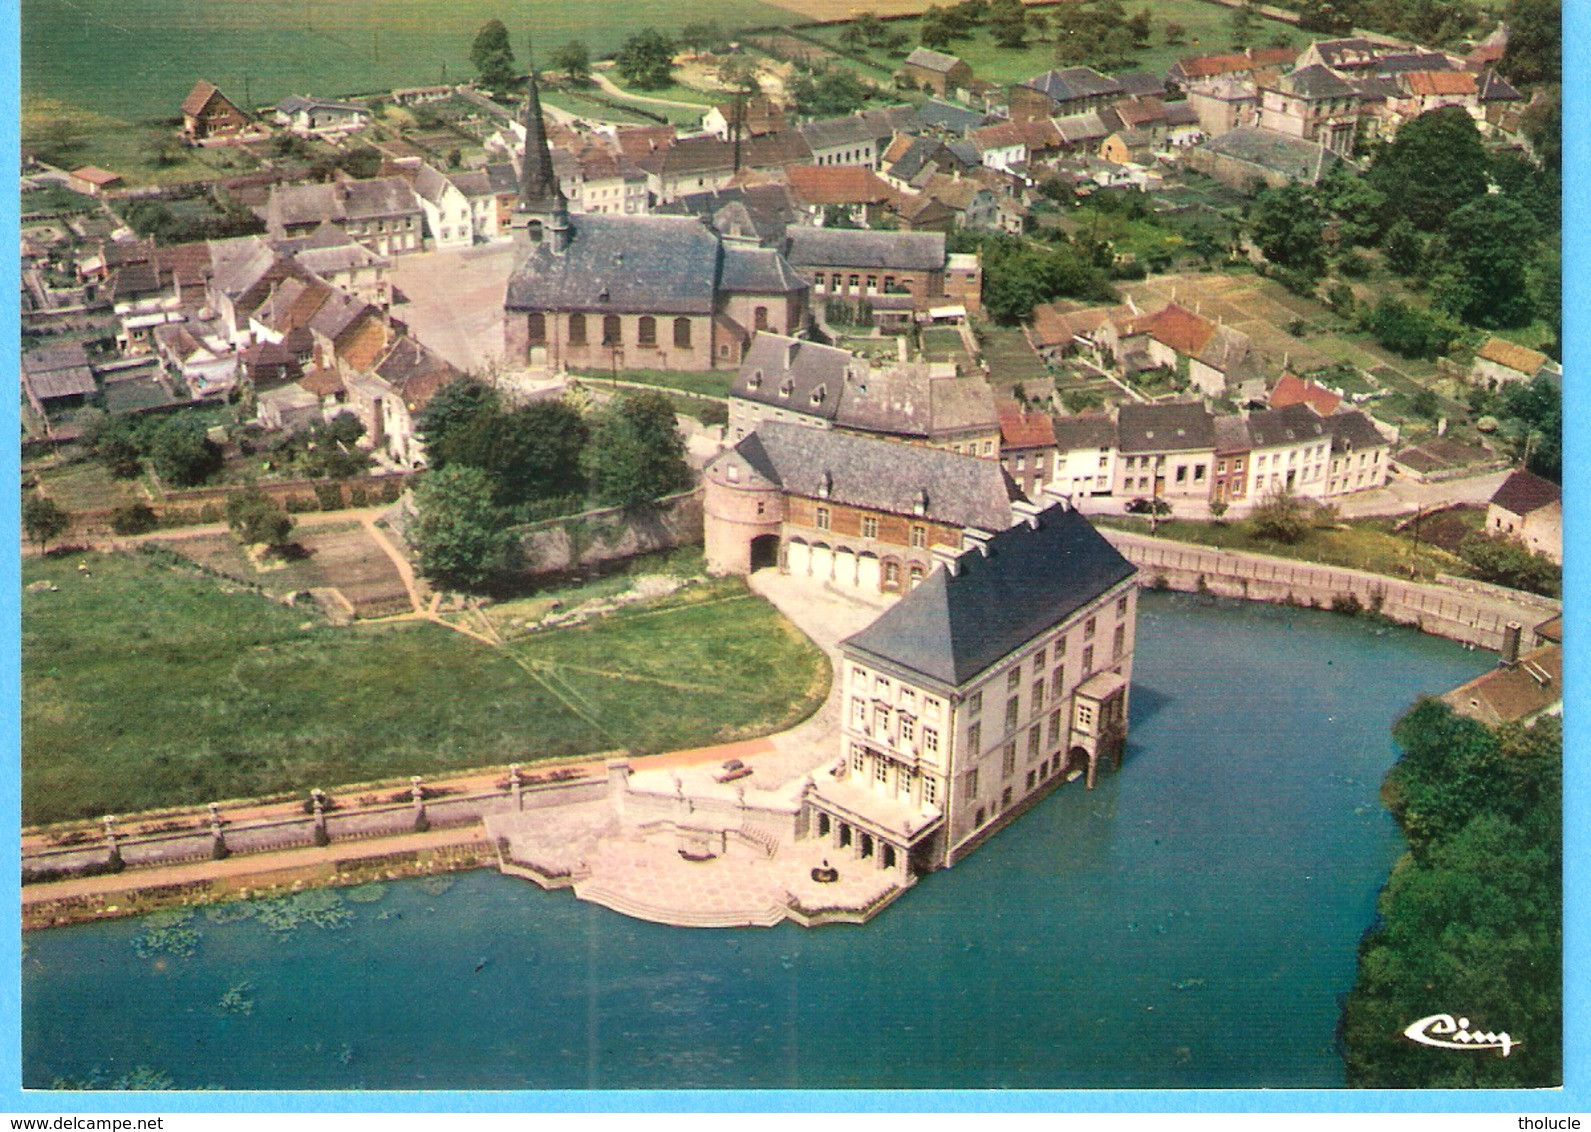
(123, 69)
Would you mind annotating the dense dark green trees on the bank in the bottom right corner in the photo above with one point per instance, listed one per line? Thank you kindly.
(1471, 920)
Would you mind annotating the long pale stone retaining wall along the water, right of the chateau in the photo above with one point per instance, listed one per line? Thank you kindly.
(1461, 614)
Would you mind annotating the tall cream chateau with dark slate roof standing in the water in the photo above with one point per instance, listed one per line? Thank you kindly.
(982, 691)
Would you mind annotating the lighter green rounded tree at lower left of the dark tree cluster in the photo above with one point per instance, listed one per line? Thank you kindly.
(457, 535)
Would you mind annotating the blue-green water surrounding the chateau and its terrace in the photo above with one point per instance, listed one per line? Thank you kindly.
(1191, 923)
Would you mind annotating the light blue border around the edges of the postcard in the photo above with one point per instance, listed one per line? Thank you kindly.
(1577, 778)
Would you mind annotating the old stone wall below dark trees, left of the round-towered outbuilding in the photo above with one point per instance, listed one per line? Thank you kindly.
(602, 537)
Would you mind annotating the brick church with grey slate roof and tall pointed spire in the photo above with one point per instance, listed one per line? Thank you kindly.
(620, 292)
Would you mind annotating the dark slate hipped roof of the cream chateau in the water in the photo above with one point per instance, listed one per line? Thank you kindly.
(955, 627)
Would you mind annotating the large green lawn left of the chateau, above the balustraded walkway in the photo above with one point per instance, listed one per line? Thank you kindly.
(152, 686)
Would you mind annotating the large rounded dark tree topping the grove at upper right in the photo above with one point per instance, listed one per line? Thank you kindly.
(1434, 168)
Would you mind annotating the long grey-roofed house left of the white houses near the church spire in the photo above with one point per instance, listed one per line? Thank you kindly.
(383, 214)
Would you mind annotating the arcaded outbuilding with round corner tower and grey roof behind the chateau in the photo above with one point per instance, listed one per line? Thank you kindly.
(849, 510)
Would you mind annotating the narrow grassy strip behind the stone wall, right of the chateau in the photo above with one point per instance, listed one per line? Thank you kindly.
(1361, 545)
